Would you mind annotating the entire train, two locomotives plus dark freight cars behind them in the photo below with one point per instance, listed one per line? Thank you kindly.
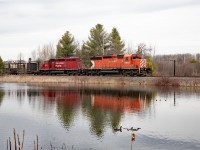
(123, 64)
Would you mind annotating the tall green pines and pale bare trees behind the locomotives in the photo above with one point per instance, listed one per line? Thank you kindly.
(99, 42)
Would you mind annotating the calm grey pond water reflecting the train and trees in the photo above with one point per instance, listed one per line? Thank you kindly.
(84, 118)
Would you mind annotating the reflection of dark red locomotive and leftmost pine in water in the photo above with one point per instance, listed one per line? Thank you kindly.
(67, 100)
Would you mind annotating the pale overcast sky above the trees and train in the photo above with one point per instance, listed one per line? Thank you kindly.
(171, 26)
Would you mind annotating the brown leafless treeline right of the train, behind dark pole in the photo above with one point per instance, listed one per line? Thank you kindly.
(185, 65)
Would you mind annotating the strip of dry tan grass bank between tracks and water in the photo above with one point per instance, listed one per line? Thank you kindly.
(104, 80)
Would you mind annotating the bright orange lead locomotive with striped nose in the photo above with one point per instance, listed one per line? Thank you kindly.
(124, 64)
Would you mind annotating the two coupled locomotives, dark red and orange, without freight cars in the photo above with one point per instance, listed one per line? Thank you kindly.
(124, 64)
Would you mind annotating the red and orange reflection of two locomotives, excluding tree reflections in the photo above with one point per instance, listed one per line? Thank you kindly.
(103, 99)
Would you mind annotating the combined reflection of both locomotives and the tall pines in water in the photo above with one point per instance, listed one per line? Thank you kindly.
(103, 108)
